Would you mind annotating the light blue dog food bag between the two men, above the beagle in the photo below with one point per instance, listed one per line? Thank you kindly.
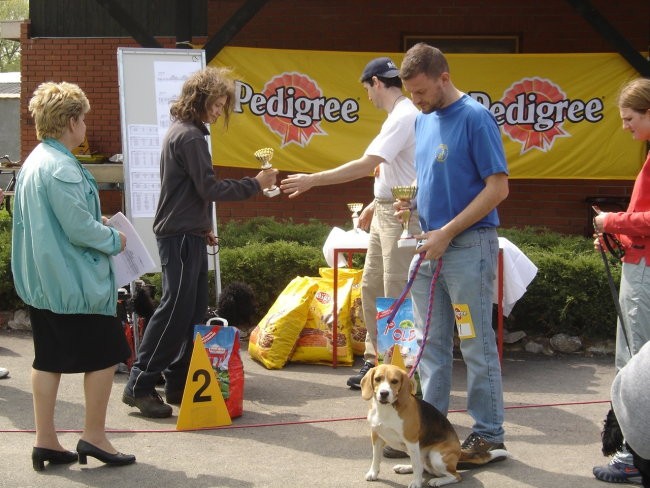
(401, 331)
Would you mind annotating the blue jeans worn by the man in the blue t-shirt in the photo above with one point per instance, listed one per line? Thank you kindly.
(466, 279)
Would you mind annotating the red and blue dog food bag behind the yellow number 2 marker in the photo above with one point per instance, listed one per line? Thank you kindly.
(222, 345)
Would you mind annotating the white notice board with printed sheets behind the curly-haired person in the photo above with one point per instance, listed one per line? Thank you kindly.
(149, 79)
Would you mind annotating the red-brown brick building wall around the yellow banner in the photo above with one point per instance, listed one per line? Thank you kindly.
(544, 27)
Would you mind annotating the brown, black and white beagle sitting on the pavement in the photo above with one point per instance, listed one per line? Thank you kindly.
(404, 422)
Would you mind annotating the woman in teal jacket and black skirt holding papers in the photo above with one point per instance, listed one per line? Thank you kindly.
(61, 267)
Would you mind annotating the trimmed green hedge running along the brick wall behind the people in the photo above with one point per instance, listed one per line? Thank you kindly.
(569, 294)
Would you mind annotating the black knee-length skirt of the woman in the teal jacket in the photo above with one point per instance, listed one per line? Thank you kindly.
(76, 343)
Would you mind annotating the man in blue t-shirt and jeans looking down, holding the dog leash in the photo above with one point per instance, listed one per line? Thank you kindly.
(461, 176)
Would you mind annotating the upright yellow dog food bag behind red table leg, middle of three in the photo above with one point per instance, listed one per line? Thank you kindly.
(315, 342)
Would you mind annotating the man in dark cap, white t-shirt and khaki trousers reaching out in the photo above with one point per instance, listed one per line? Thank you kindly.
(390, 157)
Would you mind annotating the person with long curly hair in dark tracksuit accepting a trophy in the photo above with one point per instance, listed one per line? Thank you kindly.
(183, 226)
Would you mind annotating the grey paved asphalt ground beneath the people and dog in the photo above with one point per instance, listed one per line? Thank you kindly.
(302, 427)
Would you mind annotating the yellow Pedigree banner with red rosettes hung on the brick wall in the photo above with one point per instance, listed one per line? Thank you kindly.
(557, 112)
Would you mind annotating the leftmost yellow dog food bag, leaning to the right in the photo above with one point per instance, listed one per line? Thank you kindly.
(272, 341)
